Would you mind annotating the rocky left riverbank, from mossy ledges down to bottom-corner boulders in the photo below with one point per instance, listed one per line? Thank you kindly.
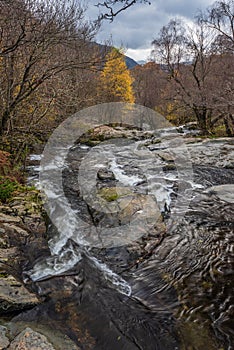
(23, 239)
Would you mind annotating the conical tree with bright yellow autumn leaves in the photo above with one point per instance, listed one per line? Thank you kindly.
(115, 79)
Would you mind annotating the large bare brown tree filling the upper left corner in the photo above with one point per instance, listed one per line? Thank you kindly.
(39, 40)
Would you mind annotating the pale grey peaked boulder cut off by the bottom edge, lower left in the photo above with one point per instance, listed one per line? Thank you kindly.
(29, 339)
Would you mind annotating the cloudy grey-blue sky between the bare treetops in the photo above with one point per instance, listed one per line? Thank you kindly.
(135, 28)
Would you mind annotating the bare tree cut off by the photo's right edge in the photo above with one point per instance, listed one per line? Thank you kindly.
(220, 18)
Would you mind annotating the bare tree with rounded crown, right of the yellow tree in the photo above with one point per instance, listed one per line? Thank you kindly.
(186, 54)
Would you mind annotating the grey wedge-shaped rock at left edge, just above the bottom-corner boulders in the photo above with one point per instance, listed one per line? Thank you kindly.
(14, 296)
